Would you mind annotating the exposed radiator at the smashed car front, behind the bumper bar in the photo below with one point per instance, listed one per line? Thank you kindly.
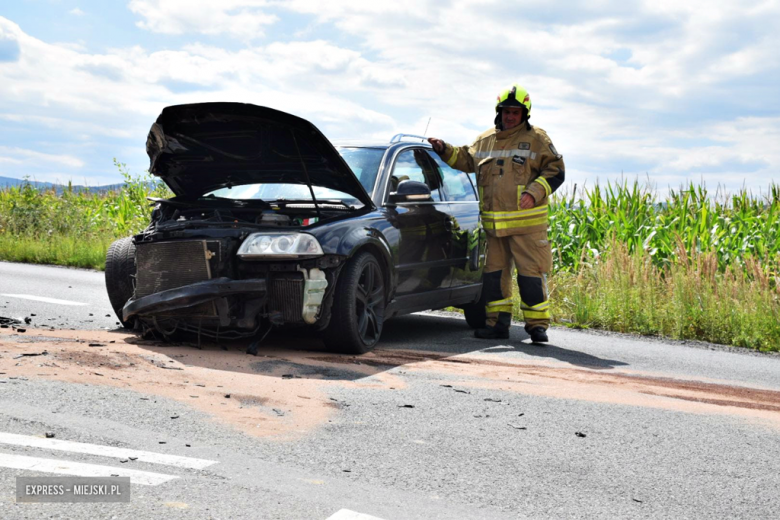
(169, 265)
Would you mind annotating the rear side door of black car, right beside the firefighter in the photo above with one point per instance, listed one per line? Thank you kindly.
(468, 238)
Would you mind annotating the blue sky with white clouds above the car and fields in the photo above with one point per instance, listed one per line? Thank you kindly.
(665, 92)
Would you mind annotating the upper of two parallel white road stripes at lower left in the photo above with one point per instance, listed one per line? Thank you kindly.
(105, 451)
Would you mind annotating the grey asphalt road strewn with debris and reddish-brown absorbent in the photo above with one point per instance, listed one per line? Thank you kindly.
(432, 424)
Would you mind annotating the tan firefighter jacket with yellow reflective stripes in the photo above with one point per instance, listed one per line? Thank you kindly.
(509, 163)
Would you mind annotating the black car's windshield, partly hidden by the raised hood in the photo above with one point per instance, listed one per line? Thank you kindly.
(364, 162)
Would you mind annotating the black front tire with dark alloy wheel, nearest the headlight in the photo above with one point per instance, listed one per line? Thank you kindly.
(358, 307)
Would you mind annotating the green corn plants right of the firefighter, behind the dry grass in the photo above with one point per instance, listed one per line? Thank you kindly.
(734, 228)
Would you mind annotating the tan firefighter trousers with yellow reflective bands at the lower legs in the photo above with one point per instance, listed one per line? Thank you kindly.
(532, 256)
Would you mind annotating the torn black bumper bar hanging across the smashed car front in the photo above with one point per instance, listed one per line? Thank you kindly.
(190, 295)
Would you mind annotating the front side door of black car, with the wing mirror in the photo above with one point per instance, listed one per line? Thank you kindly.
(423, 255)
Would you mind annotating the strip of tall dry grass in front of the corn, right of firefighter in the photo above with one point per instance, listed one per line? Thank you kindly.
(688, 299)
